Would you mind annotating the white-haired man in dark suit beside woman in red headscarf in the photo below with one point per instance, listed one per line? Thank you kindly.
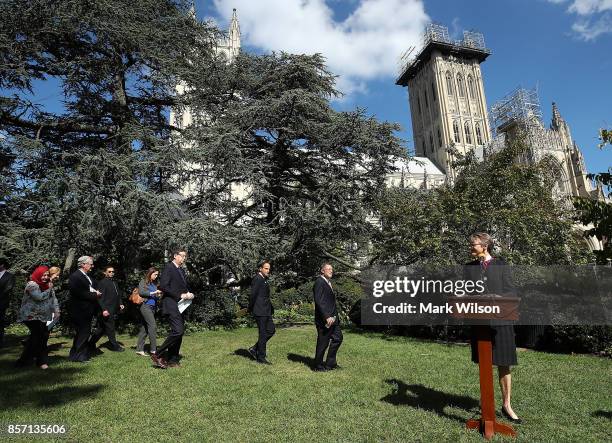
(83, 306)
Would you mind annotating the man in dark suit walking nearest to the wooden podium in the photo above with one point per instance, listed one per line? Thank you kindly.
(326, 321)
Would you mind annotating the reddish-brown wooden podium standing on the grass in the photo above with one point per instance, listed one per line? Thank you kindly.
(508, 310)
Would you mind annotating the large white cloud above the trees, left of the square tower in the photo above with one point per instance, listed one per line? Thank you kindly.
(364, 46)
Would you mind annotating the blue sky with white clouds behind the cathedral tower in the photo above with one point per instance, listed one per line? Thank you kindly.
(562, 47)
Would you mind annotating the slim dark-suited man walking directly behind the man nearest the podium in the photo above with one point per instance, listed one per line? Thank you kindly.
(261, 308)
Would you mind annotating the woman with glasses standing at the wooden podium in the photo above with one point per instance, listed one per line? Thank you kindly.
(497, 278)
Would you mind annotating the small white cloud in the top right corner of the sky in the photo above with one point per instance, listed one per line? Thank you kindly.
(595, 17)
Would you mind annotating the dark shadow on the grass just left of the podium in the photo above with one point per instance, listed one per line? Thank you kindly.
(422, 397)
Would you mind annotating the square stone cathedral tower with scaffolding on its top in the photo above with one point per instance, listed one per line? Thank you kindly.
(446, 95)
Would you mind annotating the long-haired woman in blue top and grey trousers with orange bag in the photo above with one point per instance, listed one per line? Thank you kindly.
(147, 289)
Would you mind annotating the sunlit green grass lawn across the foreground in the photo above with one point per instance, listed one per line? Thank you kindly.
(390, 389)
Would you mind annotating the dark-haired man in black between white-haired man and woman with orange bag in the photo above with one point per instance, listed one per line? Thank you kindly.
(110, 306)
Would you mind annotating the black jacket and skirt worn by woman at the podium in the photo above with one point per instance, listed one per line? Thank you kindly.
(498, 280)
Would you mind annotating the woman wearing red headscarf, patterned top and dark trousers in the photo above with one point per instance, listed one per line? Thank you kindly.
(38, 306)
